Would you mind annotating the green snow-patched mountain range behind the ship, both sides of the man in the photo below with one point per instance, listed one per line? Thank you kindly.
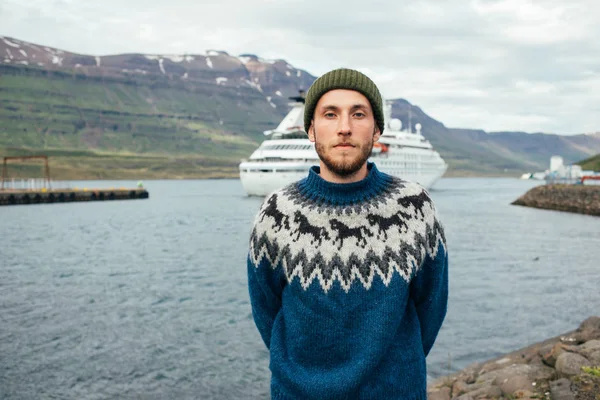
(196, 115)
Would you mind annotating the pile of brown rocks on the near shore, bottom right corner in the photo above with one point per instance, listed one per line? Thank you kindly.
(566, 367)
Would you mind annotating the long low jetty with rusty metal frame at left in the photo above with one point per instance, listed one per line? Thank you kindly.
(38, 191)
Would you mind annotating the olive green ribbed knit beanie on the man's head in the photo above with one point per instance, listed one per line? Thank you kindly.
(343, 79)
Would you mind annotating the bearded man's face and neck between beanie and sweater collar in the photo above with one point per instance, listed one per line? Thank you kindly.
(343, 130)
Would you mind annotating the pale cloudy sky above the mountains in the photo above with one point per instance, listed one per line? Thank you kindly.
(497, 65)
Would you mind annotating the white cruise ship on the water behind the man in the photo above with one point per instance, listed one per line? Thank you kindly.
(287, 154)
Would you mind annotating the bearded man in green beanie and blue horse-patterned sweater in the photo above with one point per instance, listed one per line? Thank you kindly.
(347, 268)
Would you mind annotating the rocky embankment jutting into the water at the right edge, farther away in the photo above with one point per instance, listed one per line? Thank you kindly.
(572, 198)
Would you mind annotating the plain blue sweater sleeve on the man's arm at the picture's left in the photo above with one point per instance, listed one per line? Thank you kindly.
(265, 287)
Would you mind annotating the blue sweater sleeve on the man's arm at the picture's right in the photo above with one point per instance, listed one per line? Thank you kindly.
(429, 289)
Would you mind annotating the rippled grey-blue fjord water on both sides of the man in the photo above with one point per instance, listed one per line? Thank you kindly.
(148, 298)
